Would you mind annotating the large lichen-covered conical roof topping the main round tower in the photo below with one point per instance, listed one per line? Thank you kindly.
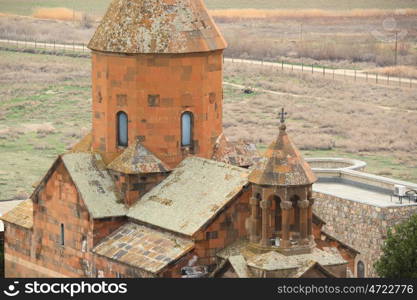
(157, 26)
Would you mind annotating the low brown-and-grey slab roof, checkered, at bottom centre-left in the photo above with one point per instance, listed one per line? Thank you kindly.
(143, 247)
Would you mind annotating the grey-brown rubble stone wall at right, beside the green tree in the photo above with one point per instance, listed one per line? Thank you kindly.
(361, 226)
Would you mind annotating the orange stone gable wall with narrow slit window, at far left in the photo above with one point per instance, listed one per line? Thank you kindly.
(58, 202)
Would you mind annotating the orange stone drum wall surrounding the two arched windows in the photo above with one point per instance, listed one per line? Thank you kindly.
(154, 90)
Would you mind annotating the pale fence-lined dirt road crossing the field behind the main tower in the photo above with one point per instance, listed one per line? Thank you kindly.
(315, 70)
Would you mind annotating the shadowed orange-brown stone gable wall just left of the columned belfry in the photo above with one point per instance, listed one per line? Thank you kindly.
(226, 229)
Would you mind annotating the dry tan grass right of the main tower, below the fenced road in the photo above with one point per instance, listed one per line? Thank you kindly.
(324, 114)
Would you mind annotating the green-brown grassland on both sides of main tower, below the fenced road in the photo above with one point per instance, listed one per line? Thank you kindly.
(46, 100)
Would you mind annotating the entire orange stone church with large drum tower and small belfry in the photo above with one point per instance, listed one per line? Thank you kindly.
(156, 189)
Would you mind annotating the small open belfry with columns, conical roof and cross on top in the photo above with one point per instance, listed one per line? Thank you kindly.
(281, 202)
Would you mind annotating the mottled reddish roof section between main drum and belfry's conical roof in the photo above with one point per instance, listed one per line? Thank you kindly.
(239, 153)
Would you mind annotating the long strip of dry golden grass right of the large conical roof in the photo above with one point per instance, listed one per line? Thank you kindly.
(227, 15)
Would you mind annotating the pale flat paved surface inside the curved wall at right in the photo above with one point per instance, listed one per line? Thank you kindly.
(357, 193)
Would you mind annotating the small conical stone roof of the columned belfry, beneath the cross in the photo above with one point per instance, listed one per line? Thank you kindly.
(282, 165)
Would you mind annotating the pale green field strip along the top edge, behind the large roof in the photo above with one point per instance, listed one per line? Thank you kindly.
(98, 7)
